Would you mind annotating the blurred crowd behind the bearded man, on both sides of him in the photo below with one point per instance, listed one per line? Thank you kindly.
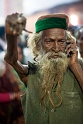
(11, 87)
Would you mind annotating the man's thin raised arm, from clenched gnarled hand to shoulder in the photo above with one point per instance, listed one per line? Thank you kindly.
(14, 25)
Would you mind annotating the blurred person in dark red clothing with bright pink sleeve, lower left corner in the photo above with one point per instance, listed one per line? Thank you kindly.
(10, 104)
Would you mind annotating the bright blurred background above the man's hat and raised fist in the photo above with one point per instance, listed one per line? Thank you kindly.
(33, 9)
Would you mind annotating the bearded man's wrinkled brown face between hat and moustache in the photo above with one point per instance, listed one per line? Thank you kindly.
(54, 40)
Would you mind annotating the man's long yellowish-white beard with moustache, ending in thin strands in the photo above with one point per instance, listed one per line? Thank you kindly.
(52, 71)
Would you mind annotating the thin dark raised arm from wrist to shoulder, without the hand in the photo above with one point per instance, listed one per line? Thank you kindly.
(11, 57)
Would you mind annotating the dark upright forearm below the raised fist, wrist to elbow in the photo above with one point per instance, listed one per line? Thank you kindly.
(11, 54)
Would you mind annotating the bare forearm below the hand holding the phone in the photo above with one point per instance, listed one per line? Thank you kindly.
(78, 72)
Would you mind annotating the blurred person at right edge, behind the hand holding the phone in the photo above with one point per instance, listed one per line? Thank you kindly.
(79, 37)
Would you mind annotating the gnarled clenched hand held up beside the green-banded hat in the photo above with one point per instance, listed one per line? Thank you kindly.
(14, 24)
